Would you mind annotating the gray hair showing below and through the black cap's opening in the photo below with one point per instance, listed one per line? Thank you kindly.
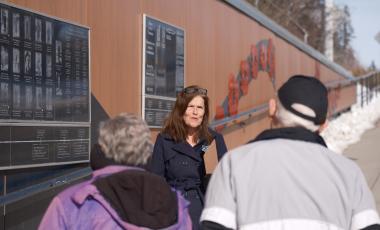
(289, 119)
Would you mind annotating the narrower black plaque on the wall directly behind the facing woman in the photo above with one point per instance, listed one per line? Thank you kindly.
(163, 70)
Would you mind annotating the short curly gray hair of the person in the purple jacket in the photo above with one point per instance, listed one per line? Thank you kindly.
(126, 139)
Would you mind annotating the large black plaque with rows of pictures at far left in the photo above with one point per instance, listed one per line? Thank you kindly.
(44, 90)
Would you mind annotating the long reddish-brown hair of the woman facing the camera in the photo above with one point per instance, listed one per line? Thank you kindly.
(175, 126)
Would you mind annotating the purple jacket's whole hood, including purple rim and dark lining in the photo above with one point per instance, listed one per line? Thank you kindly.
(134, 198)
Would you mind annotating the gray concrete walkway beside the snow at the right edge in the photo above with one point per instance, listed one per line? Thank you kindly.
(366, 154)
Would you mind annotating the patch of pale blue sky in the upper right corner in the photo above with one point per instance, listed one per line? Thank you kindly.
(365, 19)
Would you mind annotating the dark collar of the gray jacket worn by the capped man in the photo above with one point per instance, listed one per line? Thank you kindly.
(294, 133)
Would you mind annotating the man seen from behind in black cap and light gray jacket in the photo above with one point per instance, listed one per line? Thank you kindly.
(287, 178)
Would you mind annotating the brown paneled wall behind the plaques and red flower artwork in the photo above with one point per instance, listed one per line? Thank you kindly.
(217, 38)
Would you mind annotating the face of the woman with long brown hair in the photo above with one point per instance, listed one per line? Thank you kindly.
(194, 113)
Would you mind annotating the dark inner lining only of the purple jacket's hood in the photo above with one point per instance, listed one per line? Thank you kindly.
(140, 198)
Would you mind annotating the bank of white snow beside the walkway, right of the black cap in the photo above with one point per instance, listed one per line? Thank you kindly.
(348, 127)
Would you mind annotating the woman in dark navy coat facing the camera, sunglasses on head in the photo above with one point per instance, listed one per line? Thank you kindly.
(179, 148)
